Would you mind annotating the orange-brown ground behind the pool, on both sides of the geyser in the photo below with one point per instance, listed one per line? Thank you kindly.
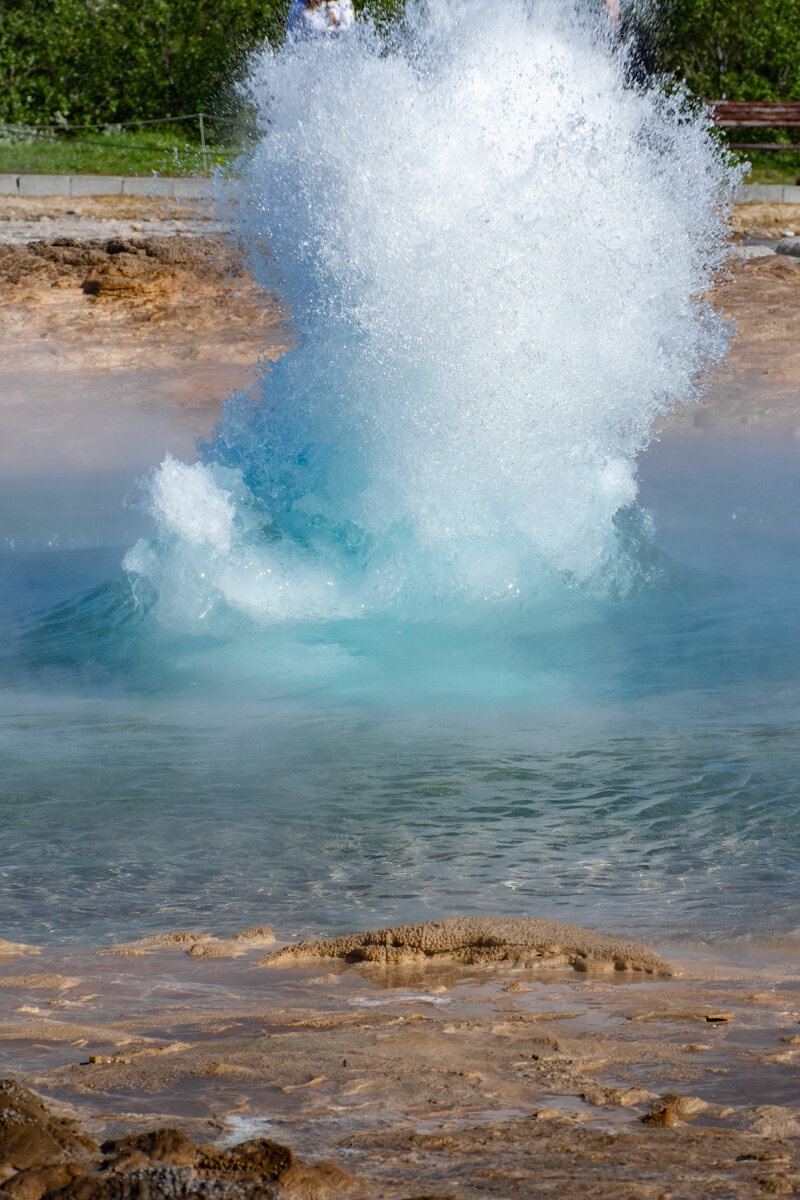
(125, 285)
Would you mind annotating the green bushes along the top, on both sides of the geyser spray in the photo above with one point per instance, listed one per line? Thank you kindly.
(117, 61)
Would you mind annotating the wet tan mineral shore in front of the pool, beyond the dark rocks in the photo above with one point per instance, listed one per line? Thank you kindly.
(423, 1076)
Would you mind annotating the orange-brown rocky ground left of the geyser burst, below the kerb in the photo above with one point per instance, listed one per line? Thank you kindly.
(149, 290)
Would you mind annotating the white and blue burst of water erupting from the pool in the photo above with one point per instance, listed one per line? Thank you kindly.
(495, 256)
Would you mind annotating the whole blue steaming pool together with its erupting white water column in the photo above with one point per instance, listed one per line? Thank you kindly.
(429, 629)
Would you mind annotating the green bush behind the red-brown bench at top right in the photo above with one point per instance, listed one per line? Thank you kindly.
(738, 50)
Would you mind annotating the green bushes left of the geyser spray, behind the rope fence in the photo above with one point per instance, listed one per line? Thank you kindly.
(117, 61)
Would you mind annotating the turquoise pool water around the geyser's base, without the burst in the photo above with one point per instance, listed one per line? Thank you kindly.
(631, 766)
